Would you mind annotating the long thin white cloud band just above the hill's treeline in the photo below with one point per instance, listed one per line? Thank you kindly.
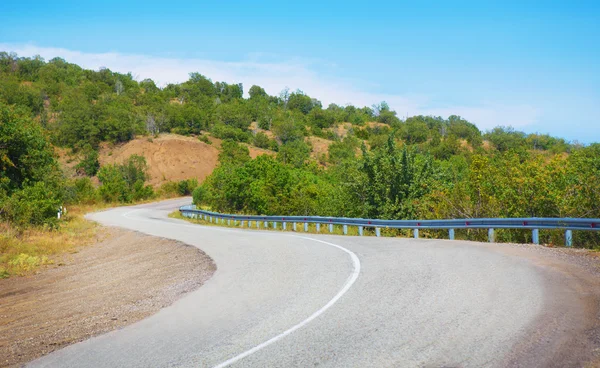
(274, 76)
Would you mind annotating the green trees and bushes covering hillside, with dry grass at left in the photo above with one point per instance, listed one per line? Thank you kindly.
(374, 164)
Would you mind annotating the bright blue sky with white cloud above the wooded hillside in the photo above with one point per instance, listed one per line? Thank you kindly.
(532, 65)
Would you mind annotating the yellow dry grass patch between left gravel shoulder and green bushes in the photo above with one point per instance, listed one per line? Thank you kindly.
(24, 251)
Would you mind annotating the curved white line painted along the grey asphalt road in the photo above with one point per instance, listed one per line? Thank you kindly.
(347, 285)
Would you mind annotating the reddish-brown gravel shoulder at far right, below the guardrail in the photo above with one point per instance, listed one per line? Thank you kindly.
(568, 333)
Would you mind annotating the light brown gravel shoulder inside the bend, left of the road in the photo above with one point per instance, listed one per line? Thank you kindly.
(120, 280)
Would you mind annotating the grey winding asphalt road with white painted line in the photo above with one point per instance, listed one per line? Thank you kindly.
(294, 300)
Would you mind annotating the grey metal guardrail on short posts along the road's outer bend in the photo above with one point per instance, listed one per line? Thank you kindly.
(534, 224)
